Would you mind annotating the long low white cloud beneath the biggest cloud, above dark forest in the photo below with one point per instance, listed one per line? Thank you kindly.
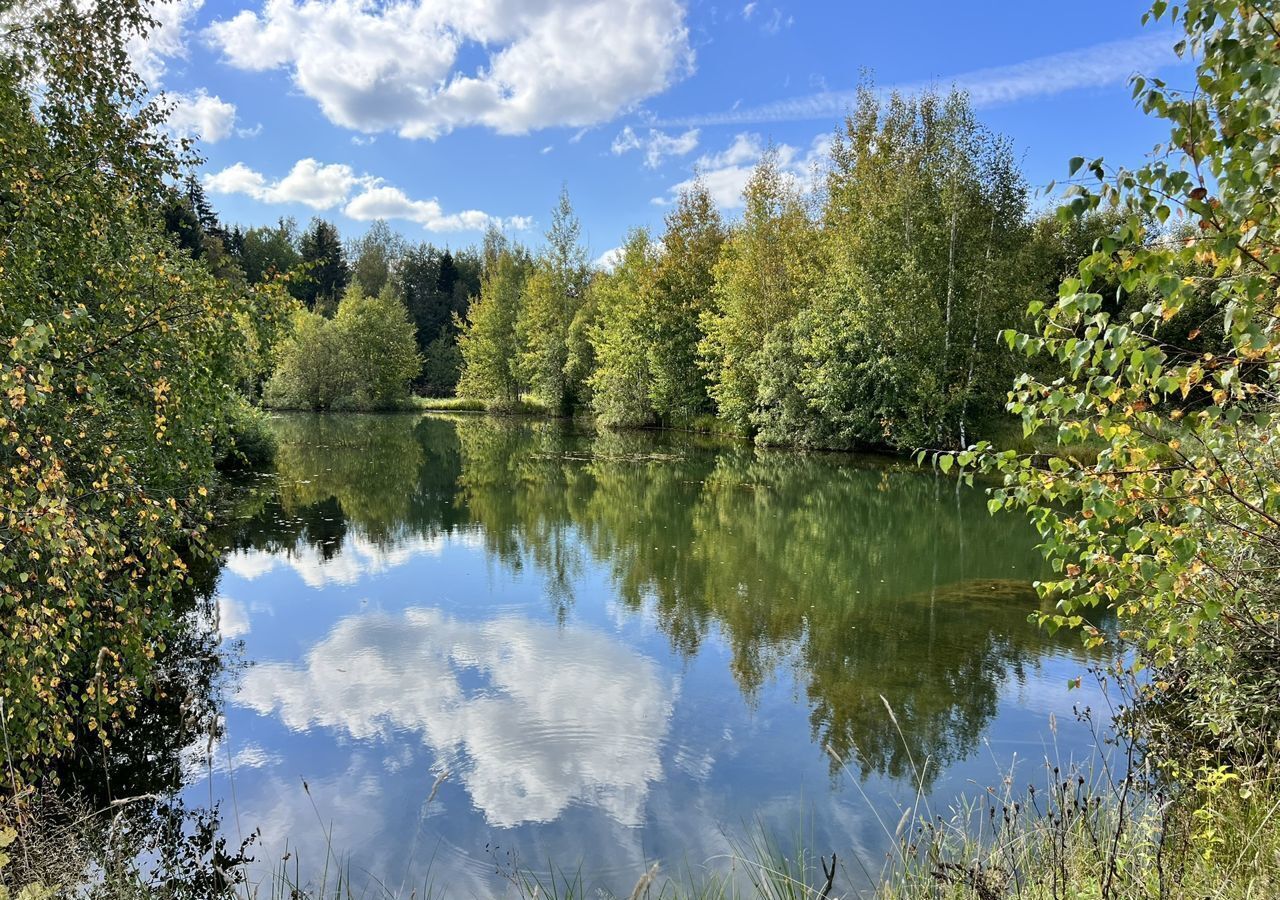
(326, 186)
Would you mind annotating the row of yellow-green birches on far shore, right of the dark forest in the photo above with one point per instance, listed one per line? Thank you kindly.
(860, 310)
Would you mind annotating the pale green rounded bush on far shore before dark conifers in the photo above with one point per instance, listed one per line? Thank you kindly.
(363, 359)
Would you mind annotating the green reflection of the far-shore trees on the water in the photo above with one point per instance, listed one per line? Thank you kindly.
(866, 578)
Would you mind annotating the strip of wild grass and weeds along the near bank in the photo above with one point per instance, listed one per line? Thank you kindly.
(1109, 832)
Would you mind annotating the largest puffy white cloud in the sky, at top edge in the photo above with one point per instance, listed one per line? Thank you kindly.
(395, 67)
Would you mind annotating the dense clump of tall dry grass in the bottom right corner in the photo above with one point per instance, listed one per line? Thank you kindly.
(1069, 840)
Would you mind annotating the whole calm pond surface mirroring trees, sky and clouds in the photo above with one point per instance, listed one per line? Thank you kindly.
(615, 648)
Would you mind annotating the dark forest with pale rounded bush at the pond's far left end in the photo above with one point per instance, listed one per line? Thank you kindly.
(415, 294)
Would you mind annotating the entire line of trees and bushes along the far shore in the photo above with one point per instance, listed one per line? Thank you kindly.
(858, 309)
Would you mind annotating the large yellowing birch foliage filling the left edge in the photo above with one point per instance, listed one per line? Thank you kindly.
(122, 358)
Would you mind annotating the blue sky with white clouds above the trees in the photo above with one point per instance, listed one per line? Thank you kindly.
(447, 116)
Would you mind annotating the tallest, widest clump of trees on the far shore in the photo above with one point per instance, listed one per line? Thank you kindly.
(924, 259)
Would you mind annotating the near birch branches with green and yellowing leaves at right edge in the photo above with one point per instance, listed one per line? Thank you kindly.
(1174, 524)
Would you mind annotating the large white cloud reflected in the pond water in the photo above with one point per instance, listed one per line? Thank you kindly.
(525, 747)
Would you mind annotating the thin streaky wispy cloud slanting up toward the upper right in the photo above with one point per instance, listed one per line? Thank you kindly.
(1100, 66)
